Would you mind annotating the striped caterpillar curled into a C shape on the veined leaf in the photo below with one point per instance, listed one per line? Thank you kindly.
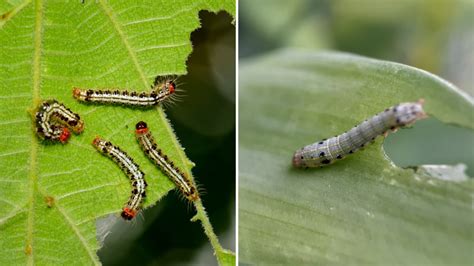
(53, 121)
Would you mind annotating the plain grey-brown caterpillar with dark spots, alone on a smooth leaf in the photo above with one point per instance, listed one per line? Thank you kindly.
(330, 150)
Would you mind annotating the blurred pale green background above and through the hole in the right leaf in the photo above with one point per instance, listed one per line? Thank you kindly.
(434, 35)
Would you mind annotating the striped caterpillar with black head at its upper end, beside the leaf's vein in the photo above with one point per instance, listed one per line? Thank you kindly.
(149, 146)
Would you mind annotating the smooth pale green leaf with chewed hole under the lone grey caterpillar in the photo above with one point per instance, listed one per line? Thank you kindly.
(362, 210)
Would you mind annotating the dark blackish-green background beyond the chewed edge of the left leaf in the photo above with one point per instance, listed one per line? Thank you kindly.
(204, 122)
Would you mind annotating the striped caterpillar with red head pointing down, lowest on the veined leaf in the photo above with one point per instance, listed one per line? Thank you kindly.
(131, 169)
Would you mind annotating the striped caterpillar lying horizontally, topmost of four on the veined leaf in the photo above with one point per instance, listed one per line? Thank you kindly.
(161, 90)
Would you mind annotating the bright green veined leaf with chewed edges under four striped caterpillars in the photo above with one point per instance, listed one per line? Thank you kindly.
(51, 195)
